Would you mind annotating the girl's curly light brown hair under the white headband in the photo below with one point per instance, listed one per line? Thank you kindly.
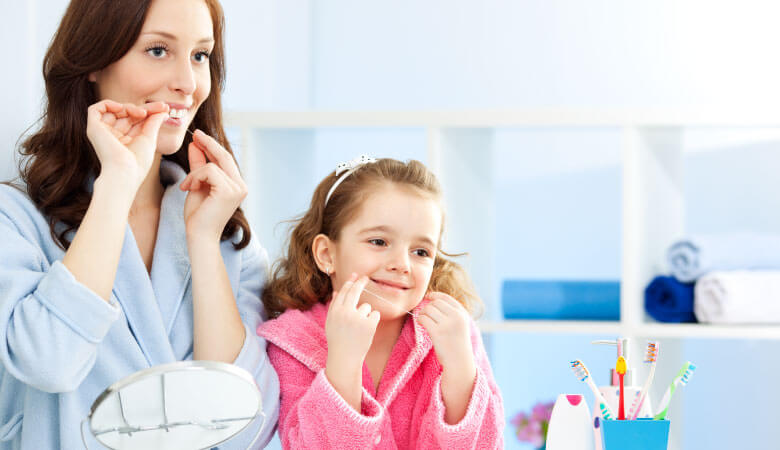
(297, 283)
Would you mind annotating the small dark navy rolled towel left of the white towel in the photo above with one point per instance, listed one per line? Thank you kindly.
(669, 300)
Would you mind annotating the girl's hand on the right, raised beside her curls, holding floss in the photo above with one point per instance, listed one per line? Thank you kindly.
(448, 324)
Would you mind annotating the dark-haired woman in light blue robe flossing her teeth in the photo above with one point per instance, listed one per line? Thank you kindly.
(126, 247)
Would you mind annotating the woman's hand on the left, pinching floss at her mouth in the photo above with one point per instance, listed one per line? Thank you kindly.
(125, 137)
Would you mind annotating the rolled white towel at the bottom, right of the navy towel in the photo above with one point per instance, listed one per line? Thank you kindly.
(738, 297)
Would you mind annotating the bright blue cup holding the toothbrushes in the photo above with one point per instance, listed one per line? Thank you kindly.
(640, 434)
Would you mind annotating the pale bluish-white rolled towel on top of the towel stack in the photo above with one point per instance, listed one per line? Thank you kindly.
(694, 256)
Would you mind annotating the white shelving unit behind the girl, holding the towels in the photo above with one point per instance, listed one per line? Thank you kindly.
(652, 203)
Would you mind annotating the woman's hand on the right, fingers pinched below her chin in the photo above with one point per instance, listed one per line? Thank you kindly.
(215, 187)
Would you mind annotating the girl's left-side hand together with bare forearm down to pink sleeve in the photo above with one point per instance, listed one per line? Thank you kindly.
(350, 330)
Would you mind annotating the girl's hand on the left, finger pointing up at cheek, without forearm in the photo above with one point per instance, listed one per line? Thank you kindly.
(349, 328)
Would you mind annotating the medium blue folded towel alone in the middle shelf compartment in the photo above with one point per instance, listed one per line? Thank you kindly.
(559, 299)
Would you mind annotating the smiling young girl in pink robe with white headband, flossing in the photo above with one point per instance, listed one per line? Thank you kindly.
(375, 347)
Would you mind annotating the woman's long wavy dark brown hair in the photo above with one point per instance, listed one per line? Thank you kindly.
(58, 159)
